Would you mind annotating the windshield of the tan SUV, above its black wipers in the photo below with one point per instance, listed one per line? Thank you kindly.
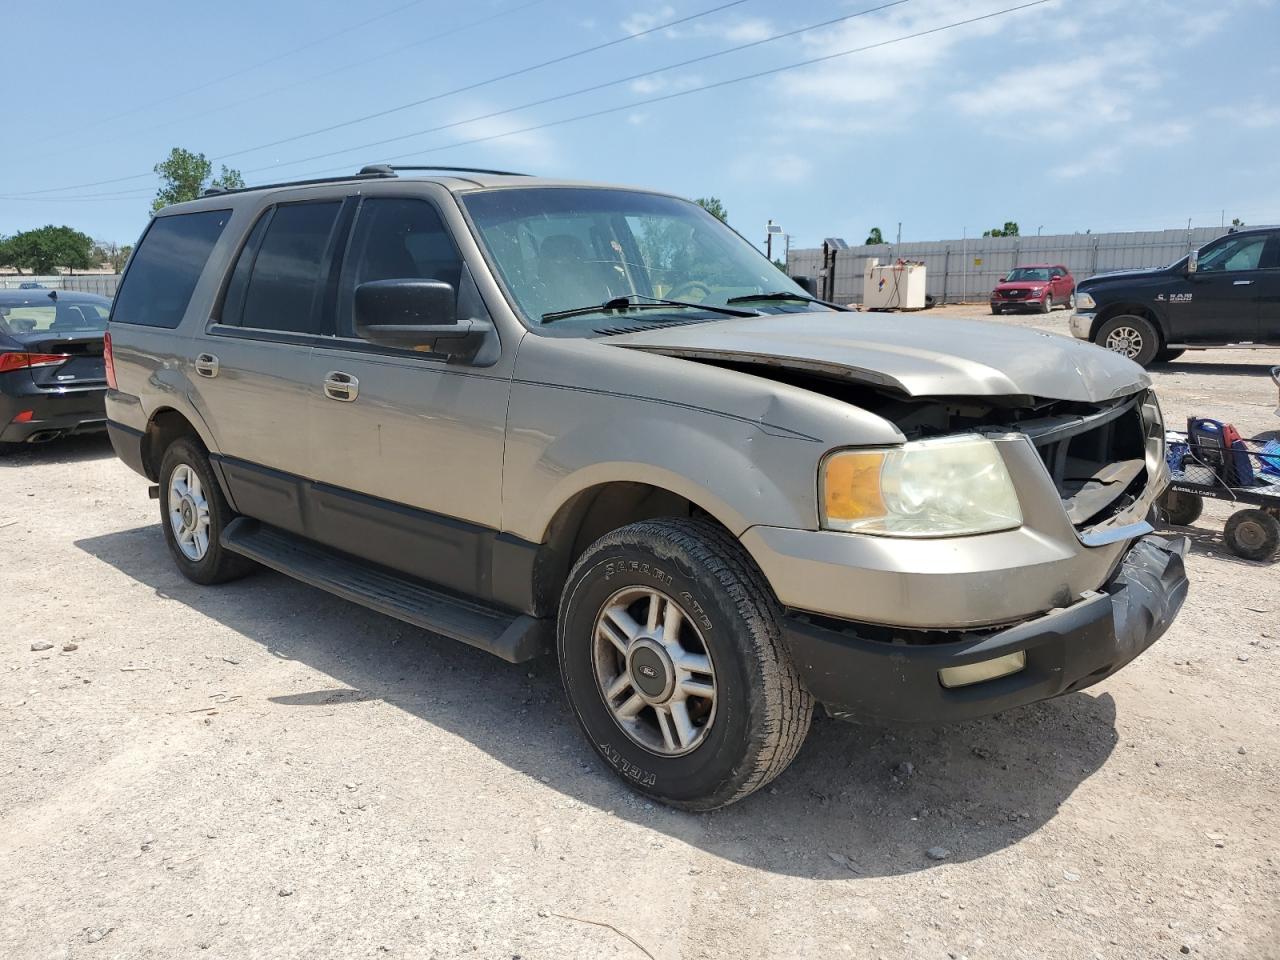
(563, 249)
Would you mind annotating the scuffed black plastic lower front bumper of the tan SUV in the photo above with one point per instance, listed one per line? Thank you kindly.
(1067, 650)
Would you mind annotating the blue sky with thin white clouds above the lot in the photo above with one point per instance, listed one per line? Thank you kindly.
(1072, 116)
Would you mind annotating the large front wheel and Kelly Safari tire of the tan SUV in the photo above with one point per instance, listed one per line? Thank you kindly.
(753, 725)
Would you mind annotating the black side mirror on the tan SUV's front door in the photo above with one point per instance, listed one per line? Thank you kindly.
(418, 316)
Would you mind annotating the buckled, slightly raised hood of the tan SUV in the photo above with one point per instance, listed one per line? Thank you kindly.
(915, 355)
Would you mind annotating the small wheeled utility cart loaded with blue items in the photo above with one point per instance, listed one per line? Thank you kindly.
(1213, 461)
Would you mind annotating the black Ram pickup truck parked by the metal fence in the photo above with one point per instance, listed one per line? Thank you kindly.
(1224, 295)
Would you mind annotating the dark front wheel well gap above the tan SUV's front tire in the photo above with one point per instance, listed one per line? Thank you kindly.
(593, 514)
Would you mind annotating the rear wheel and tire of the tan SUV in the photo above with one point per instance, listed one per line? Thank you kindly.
(204, 500)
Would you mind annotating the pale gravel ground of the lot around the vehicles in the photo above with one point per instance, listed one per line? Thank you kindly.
(264, 771)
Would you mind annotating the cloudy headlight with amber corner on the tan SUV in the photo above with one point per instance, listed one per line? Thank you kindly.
(949, 487)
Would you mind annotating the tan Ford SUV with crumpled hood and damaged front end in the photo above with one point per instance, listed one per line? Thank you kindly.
(537, 415)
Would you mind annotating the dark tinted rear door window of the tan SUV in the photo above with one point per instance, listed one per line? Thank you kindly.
(286, 272)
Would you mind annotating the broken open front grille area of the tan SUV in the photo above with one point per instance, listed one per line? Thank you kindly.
(1098, 460)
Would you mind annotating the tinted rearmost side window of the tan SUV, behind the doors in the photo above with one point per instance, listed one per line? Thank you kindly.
(166, 268)
